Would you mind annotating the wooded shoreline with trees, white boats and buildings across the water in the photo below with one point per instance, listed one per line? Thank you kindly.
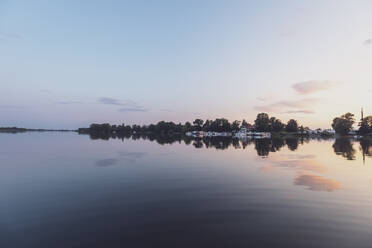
(264, 127)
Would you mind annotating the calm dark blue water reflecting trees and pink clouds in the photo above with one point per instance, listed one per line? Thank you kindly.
(67, 190)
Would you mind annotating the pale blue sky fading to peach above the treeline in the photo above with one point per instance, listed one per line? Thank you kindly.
(66, 64)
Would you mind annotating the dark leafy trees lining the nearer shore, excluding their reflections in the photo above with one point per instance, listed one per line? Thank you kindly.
(263, 123)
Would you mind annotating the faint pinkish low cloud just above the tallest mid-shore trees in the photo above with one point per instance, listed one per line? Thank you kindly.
(297, 106)
